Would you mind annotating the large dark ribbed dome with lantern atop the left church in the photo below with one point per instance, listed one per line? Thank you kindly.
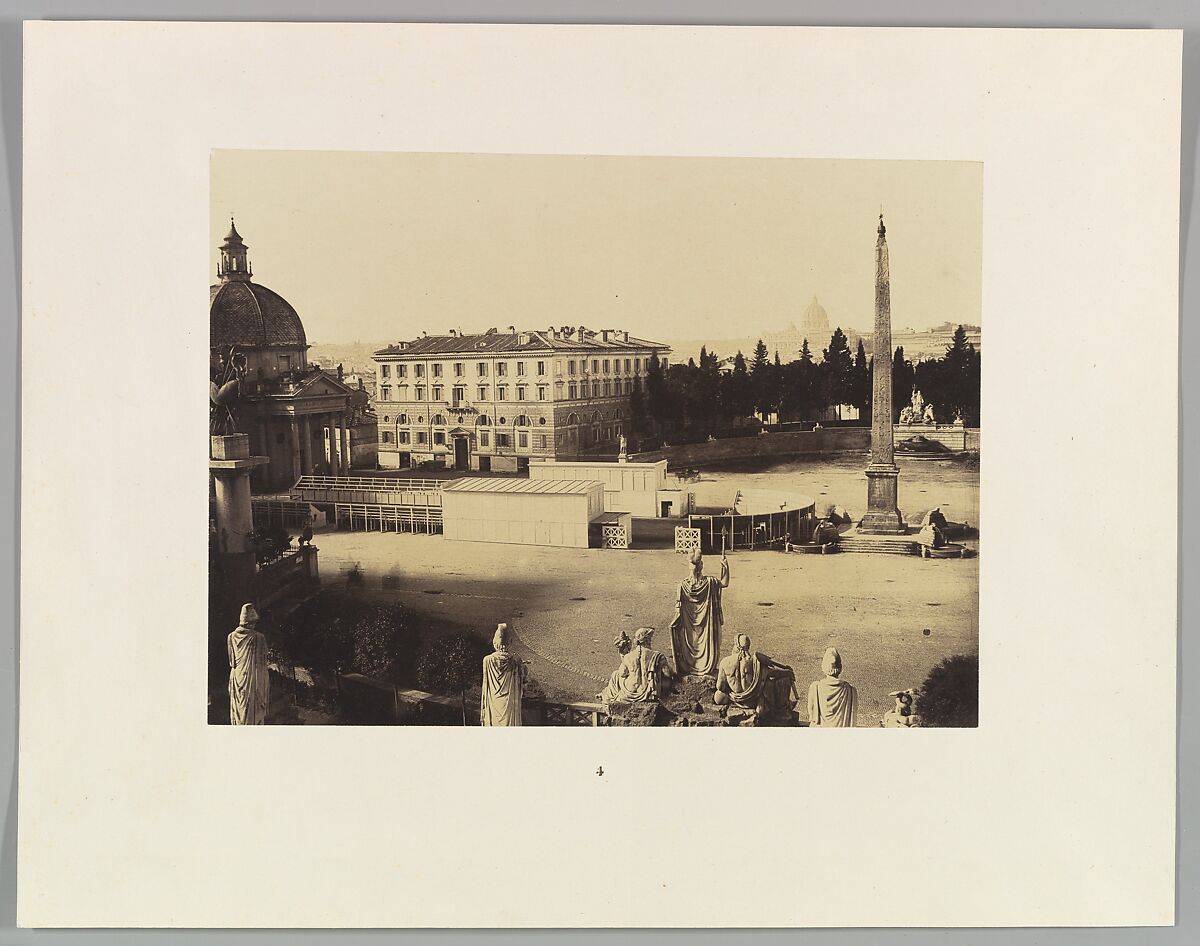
(245, 314)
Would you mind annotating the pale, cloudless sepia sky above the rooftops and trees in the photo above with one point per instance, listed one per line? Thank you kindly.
(382, 247)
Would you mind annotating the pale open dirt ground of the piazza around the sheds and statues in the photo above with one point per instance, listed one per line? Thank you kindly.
(892, 618)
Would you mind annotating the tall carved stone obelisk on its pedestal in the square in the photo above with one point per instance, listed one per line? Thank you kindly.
(883, 475)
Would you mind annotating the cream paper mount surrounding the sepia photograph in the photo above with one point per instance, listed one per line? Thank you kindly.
(1058, 811)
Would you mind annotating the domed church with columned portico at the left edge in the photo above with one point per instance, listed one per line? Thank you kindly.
(298, 416)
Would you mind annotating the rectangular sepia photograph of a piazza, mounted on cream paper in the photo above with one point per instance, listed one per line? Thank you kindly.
(593, 441)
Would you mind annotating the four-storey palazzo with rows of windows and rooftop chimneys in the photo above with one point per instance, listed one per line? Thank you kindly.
(493, 402)
